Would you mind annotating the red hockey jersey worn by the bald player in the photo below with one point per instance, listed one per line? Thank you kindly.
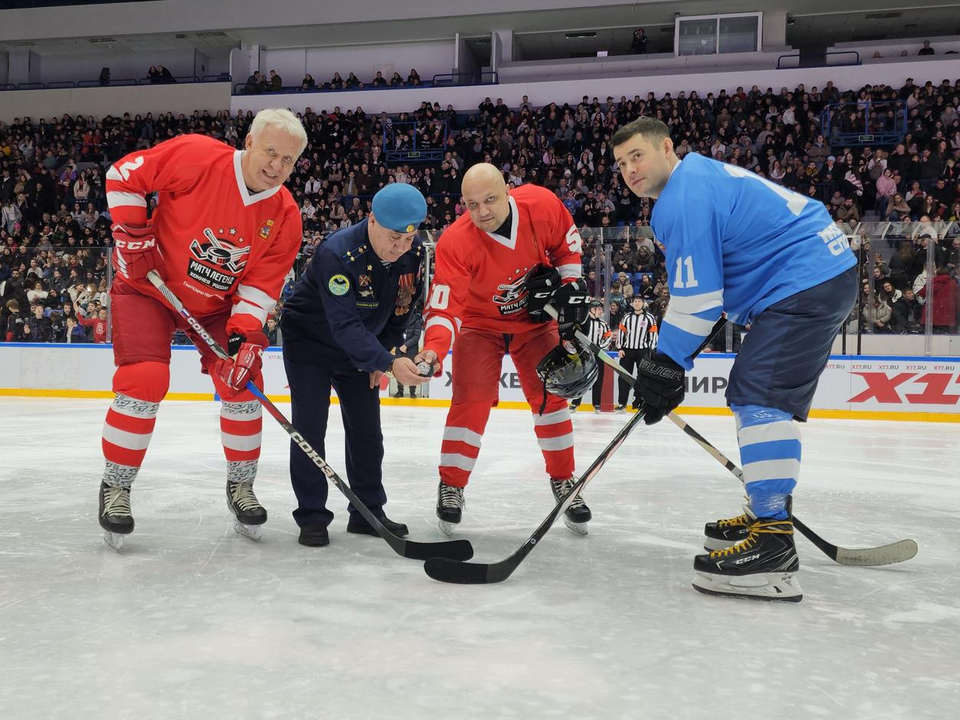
(478, 281)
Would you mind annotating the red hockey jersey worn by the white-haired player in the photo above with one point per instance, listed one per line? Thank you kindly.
(222, 244)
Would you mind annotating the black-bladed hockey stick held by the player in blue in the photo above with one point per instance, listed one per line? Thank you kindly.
(481, 573)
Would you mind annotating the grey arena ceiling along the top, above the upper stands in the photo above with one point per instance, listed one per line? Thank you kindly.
(540, 32)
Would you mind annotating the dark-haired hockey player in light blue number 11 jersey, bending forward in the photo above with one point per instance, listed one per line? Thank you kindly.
(739, 244)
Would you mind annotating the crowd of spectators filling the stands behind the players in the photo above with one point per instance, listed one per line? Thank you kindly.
(54, 227)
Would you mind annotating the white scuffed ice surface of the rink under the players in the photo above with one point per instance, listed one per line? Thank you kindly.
(192, 621)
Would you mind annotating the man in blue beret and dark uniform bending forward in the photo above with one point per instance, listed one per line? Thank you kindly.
(348, 311)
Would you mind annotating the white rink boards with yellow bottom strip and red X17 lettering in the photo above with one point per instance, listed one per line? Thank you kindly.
(866, 387)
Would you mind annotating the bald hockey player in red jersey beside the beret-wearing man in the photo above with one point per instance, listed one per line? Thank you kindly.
(479, 305)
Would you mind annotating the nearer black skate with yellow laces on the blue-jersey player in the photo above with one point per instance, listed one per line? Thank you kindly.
(761, 566)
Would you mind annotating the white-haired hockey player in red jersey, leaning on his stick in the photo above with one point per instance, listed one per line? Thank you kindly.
(224, 234)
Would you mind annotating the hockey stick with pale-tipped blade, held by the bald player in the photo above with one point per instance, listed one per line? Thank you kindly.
(899, 551)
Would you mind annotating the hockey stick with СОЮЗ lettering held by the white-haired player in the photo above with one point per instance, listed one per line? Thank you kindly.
(453, 549)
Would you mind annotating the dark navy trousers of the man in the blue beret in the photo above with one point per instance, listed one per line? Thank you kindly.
(360, 408)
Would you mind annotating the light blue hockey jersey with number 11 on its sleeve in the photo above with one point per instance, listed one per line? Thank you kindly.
(737, 243)
